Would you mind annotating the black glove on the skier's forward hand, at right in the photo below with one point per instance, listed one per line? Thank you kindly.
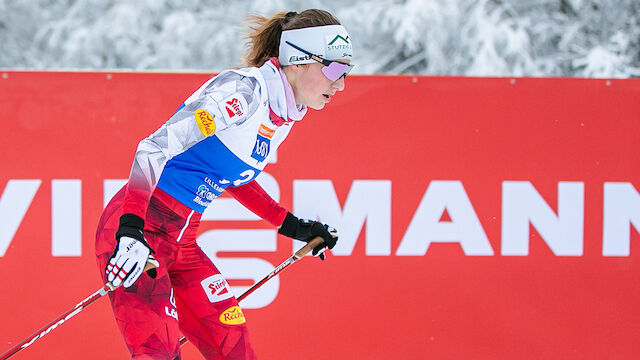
(307, 230)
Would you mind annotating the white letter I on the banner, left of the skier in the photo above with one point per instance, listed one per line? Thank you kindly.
(66, 217)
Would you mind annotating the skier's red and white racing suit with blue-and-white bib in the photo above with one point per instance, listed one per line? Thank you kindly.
(219, 139)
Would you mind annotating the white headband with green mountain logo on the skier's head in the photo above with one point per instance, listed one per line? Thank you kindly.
(330, 42)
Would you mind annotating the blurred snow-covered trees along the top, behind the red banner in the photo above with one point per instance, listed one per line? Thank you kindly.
(574, 38)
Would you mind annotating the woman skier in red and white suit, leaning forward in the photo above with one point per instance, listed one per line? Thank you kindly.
(219, 139)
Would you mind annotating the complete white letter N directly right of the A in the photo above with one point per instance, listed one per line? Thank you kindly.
(522, 204)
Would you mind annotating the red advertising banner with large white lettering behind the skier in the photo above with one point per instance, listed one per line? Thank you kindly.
(480, 218)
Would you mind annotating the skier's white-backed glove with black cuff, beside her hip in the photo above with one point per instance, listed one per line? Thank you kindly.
(131, 254)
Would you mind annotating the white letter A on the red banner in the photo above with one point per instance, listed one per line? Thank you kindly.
(426, 228)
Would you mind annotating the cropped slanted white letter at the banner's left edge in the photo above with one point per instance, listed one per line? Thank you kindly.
(14, 203)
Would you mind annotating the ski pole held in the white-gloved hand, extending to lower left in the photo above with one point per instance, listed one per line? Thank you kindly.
(151, 263)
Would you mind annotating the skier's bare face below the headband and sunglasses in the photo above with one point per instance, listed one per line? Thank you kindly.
(311, 87)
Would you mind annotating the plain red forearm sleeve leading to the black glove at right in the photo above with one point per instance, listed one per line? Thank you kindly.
(254, 198)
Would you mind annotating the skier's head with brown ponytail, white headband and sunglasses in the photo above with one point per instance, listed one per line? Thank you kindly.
(312, 47)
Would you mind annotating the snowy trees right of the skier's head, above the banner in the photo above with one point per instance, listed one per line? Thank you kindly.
(503, 38)
